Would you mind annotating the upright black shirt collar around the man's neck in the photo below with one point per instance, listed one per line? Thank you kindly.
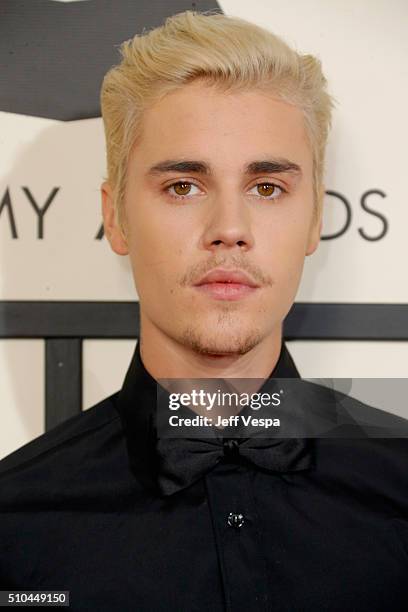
(136, 403)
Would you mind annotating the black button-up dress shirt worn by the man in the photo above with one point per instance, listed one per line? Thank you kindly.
(82, 509)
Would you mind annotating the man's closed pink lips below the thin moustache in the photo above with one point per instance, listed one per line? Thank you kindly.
(222, 284)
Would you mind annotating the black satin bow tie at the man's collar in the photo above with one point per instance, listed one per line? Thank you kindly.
(181, 462)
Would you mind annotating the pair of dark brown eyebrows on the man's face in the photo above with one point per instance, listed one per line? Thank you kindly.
(266, 166)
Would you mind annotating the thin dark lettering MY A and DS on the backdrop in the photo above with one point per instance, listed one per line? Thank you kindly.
(367, 203)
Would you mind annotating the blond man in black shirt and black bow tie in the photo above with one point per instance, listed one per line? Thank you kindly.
(215, 133)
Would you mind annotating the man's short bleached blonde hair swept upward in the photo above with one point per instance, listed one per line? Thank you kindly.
(228, 52)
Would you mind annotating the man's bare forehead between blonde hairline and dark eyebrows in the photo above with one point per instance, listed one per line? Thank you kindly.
(198, 119)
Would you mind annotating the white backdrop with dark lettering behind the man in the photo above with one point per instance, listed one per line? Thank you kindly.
(364, 50)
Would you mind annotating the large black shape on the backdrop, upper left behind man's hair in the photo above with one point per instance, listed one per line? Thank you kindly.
(53, 55)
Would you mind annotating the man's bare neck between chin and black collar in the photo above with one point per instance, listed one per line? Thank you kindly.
(165, 357)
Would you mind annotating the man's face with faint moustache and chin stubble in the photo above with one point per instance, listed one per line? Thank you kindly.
(230, 209)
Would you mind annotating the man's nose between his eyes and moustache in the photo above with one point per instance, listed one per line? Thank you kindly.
(228, 225)
